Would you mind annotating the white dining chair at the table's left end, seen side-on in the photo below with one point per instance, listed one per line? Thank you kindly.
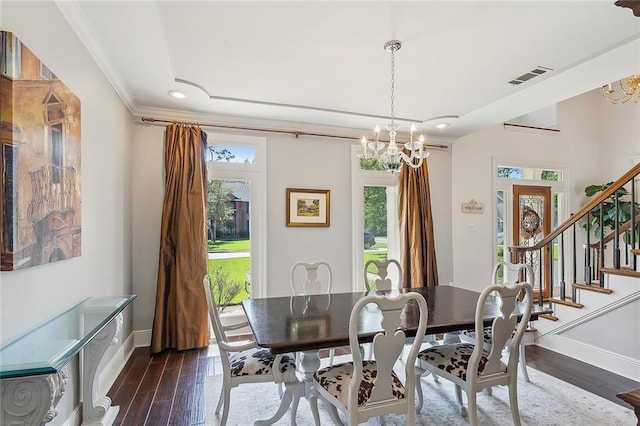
(247, 363)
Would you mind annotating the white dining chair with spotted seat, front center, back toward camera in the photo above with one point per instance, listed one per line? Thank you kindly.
(362, 389)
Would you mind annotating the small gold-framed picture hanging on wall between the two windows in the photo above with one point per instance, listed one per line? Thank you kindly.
(308, 207)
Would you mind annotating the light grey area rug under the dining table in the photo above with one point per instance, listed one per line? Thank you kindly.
(545, 401)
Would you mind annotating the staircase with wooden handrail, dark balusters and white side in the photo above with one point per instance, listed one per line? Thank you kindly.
(593, 285)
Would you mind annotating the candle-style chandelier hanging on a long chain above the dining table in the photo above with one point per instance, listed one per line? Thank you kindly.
(393, 157)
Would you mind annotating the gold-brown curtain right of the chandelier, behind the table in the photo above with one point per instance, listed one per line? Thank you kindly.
(418, 256)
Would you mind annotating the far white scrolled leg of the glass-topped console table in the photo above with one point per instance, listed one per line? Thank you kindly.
(97, 410)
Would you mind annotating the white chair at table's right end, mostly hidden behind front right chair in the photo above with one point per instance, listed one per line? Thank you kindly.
(511, 274)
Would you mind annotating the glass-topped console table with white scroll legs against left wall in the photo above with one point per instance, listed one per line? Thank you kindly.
(34, 368)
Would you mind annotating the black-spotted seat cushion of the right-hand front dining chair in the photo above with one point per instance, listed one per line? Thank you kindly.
(453, 359)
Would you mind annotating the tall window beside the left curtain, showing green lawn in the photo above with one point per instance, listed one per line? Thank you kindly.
(236, 219)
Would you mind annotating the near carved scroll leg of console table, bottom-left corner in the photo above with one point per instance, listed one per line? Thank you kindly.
(32, 400)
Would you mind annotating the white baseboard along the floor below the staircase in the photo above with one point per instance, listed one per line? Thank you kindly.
(599, 357)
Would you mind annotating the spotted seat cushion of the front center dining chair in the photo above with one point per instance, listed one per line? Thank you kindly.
(336, 378)
